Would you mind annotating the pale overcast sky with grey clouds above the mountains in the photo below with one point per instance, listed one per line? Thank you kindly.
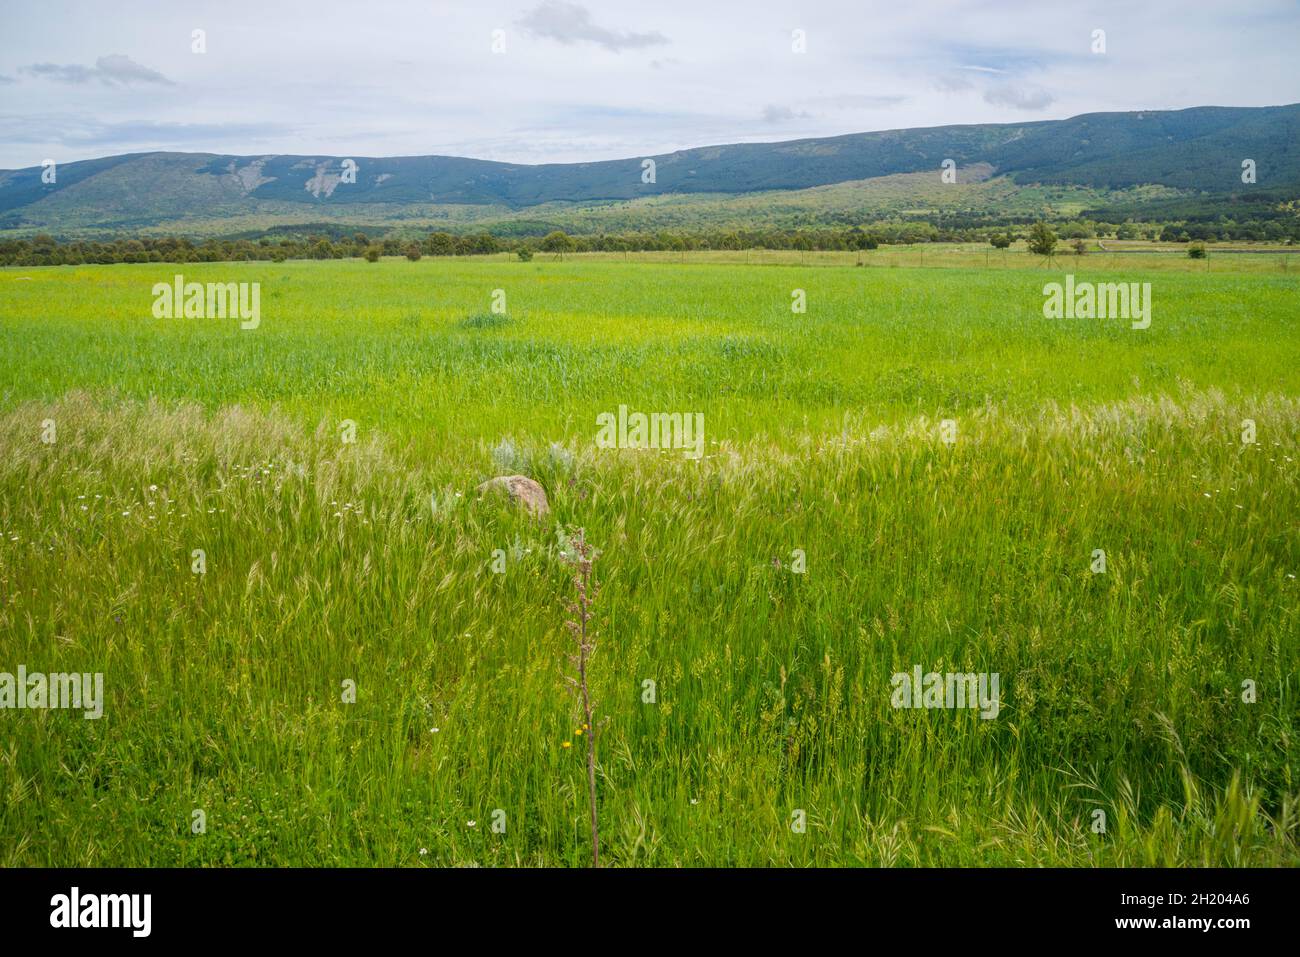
(603, 79)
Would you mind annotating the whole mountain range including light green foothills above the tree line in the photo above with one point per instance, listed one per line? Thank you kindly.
(1089, 162)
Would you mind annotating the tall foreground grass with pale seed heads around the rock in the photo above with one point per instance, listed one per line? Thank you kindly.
(326, 564)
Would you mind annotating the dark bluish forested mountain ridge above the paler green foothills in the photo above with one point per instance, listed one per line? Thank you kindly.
(1198, 150)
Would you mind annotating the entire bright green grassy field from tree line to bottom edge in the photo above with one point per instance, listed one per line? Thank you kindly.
(128, 443)
